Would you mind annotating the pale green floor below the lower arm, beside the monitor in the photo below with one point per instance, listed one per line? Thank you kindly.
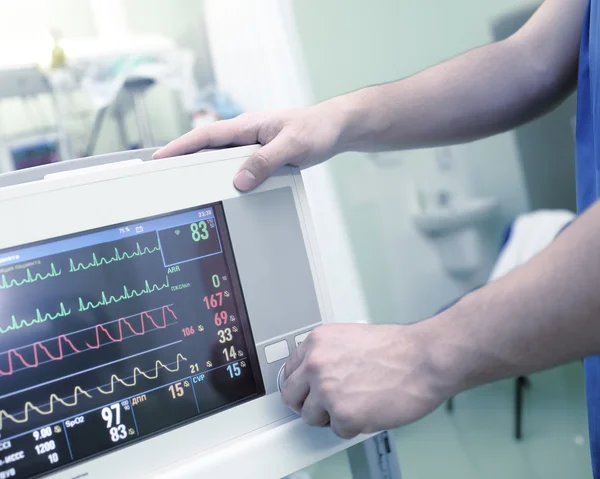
(476, 440)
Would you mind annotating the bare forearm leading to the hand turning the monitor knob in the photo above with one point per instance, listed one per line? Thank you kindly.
(543, 314)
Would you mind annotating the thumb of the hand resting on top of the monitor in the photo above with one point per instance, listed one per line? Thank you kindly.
(266, 161)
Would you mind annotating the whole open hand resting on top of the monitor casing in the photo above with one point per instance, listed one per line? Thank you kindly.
(302, 137)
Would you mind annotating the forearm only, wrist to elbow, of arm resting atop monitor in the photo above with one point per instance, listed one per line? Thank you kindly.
(480, 93)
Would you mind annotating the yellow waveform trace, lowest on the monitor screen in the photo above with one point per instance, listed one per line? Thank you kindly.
(79, 391)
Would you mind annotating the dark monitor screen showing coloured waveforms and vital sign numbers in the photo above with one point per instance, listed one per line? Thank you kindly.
(116, 334)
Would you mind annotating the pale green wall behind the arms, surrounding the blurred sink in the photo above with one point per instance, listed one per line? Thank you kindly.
(352, 43)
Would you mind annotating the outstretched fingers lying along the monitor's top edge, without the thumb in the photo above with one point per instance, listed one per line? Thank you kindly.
(237, 131)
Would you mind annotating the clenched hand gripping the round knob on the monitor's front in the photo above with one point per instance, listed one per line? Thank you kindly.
(361, 378)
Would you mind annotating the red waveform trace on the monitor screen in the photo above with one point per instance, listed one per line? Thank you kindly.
(64, 340)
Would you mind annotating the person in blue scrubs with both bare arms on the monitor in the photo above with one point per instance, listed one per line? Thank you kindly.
(366, 378)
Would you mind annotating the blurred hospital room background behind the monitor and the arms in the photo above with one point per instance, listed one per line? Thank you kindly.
(408, 232)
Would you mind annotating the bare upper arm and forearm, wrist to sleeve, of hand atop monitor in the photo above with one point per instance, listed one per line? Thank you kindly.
(482, 92)
